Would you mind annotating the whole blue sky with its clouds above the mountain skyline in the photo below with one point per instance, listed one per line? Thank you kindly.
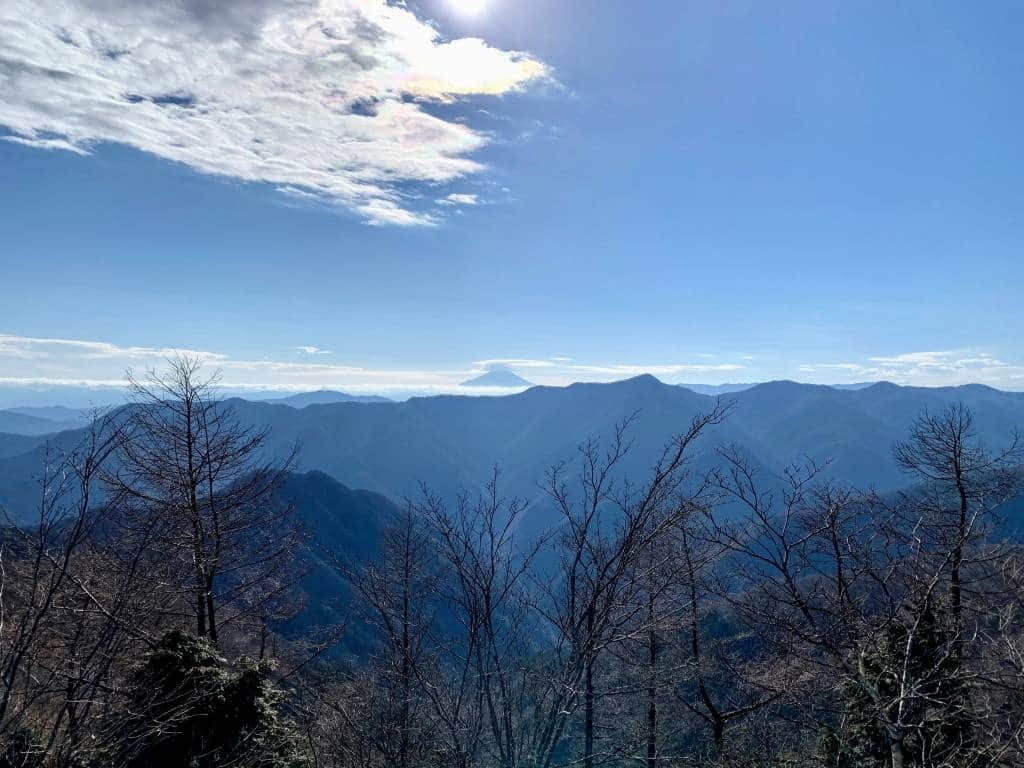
(714, 192)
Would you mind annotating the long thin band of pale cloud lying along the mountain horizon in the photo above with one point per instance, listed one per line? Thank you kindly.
(41, 361)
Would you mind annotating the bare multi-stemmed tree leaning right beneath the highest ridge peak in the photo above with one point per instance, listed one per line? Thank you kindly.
(607, 529)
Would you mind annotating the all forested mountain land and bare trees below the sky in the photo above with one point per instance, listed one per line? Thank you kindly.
(667, 592)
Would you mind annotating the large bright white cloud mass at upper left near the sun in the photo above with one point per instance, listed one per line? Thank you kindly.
(318, 98)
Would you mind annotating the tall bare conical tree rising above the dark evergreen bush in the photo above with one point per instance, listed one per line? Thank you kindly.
(189, 468)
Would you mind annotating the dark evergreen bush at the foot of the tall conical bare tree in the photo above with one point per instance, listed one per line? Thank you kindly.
(194, 709)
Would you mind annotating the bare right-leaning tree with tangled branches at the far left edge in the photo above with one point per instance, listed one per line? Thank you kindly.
(73, 608)
